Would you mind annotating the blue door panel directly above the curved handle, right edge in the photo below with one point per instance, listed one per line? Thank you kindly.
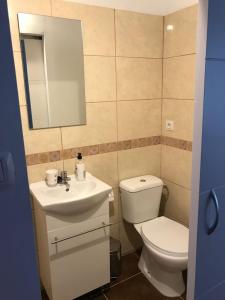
(213, 132)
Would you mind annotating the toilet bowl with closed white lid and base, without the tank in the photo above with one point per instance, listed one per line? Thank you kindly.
(164, 255)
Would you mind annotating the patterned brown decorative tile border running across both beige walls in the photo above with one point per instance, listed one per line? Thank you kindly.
(46, 157)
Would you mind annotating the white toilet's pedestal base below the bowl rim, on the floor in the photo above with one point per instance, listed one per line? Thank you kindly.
(167, 283)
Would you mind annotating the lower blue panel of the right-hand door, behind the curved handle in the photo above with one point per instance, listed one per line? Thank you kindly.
(210, 259)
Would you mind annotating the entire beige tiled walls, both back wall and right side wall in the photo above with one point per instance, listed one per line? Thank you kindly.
(123, 83)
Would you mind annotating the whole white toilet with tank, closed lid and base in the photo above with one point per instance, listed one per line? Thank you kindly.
(165, 252)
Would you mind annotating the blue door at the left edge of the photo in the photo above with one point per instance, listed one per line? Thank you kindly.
(18, 268)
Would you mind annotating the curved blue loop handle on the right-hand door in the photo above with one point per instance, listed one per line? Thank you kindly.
(210, 228)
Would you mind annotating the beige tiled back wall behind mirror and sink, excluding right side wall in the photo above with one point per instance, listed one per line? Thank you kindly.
(123, 78)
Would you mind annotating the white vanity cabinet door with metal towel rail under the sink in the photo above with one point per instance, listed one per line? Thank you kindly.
(79, 261)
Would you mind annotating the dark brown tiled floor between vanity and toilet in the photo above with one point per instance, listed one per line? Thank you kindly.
(131, 285)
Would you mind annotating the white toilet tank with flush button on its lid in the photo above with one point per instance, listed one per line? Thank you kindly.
(140, 197)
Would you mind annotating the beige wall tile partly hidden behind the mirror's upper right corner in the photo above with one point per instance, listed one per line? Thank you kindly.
(98, 25)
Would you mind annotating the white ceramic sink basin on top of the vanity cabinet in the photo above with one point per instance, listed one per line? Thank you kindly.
(81, 196)
